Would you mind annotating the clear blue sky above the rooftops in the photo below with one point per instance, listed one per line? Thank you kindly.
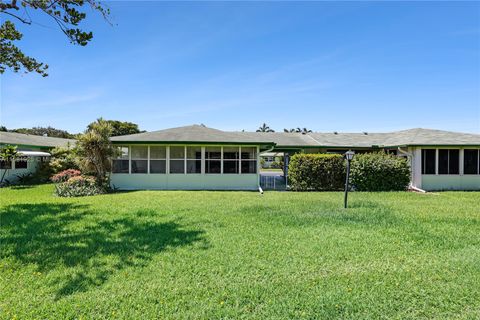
(328, 66)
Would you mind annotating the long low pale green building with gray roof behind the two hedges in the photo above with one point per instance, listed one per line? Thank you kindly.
(197, 157)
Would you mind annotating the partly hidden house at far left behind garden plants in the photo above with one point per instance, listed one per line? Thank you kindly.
(31, 149)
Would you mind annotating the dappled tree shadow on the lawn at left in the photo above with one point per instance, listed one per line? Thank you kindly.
(70, 238)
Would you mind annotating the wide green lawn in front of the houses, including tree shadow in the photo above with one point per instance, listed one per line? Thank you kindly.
(239, 255)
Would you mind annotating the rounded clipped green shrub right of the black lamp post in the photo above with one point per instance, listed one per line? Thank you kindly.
(379, 172)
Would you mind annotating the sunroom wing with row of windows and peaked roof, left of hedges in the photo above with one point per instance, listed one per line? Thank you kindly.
(191, 157)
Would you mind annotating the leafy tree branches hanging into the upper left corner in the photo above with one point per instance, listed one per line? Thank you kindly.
(66, 14)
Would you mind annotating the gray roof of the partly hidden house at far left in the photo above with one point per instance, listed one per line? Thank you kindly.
(14, 138)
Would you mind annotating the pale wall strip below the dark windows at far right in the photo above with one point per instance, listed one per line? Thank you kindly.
(450, 182)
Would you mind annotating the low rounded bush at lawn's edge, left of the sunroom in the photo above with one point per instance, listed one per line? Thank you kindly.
(78, 186)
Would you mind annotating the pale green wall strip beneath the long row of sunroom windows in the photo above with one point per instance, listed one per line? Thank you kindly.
(124, 181)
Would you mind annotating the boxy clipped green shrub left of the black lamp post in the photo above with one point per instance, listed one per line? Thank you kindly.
(321, 172)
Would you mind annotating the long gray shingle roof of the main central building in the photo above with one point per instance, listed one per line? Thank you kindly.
(201, 134)
